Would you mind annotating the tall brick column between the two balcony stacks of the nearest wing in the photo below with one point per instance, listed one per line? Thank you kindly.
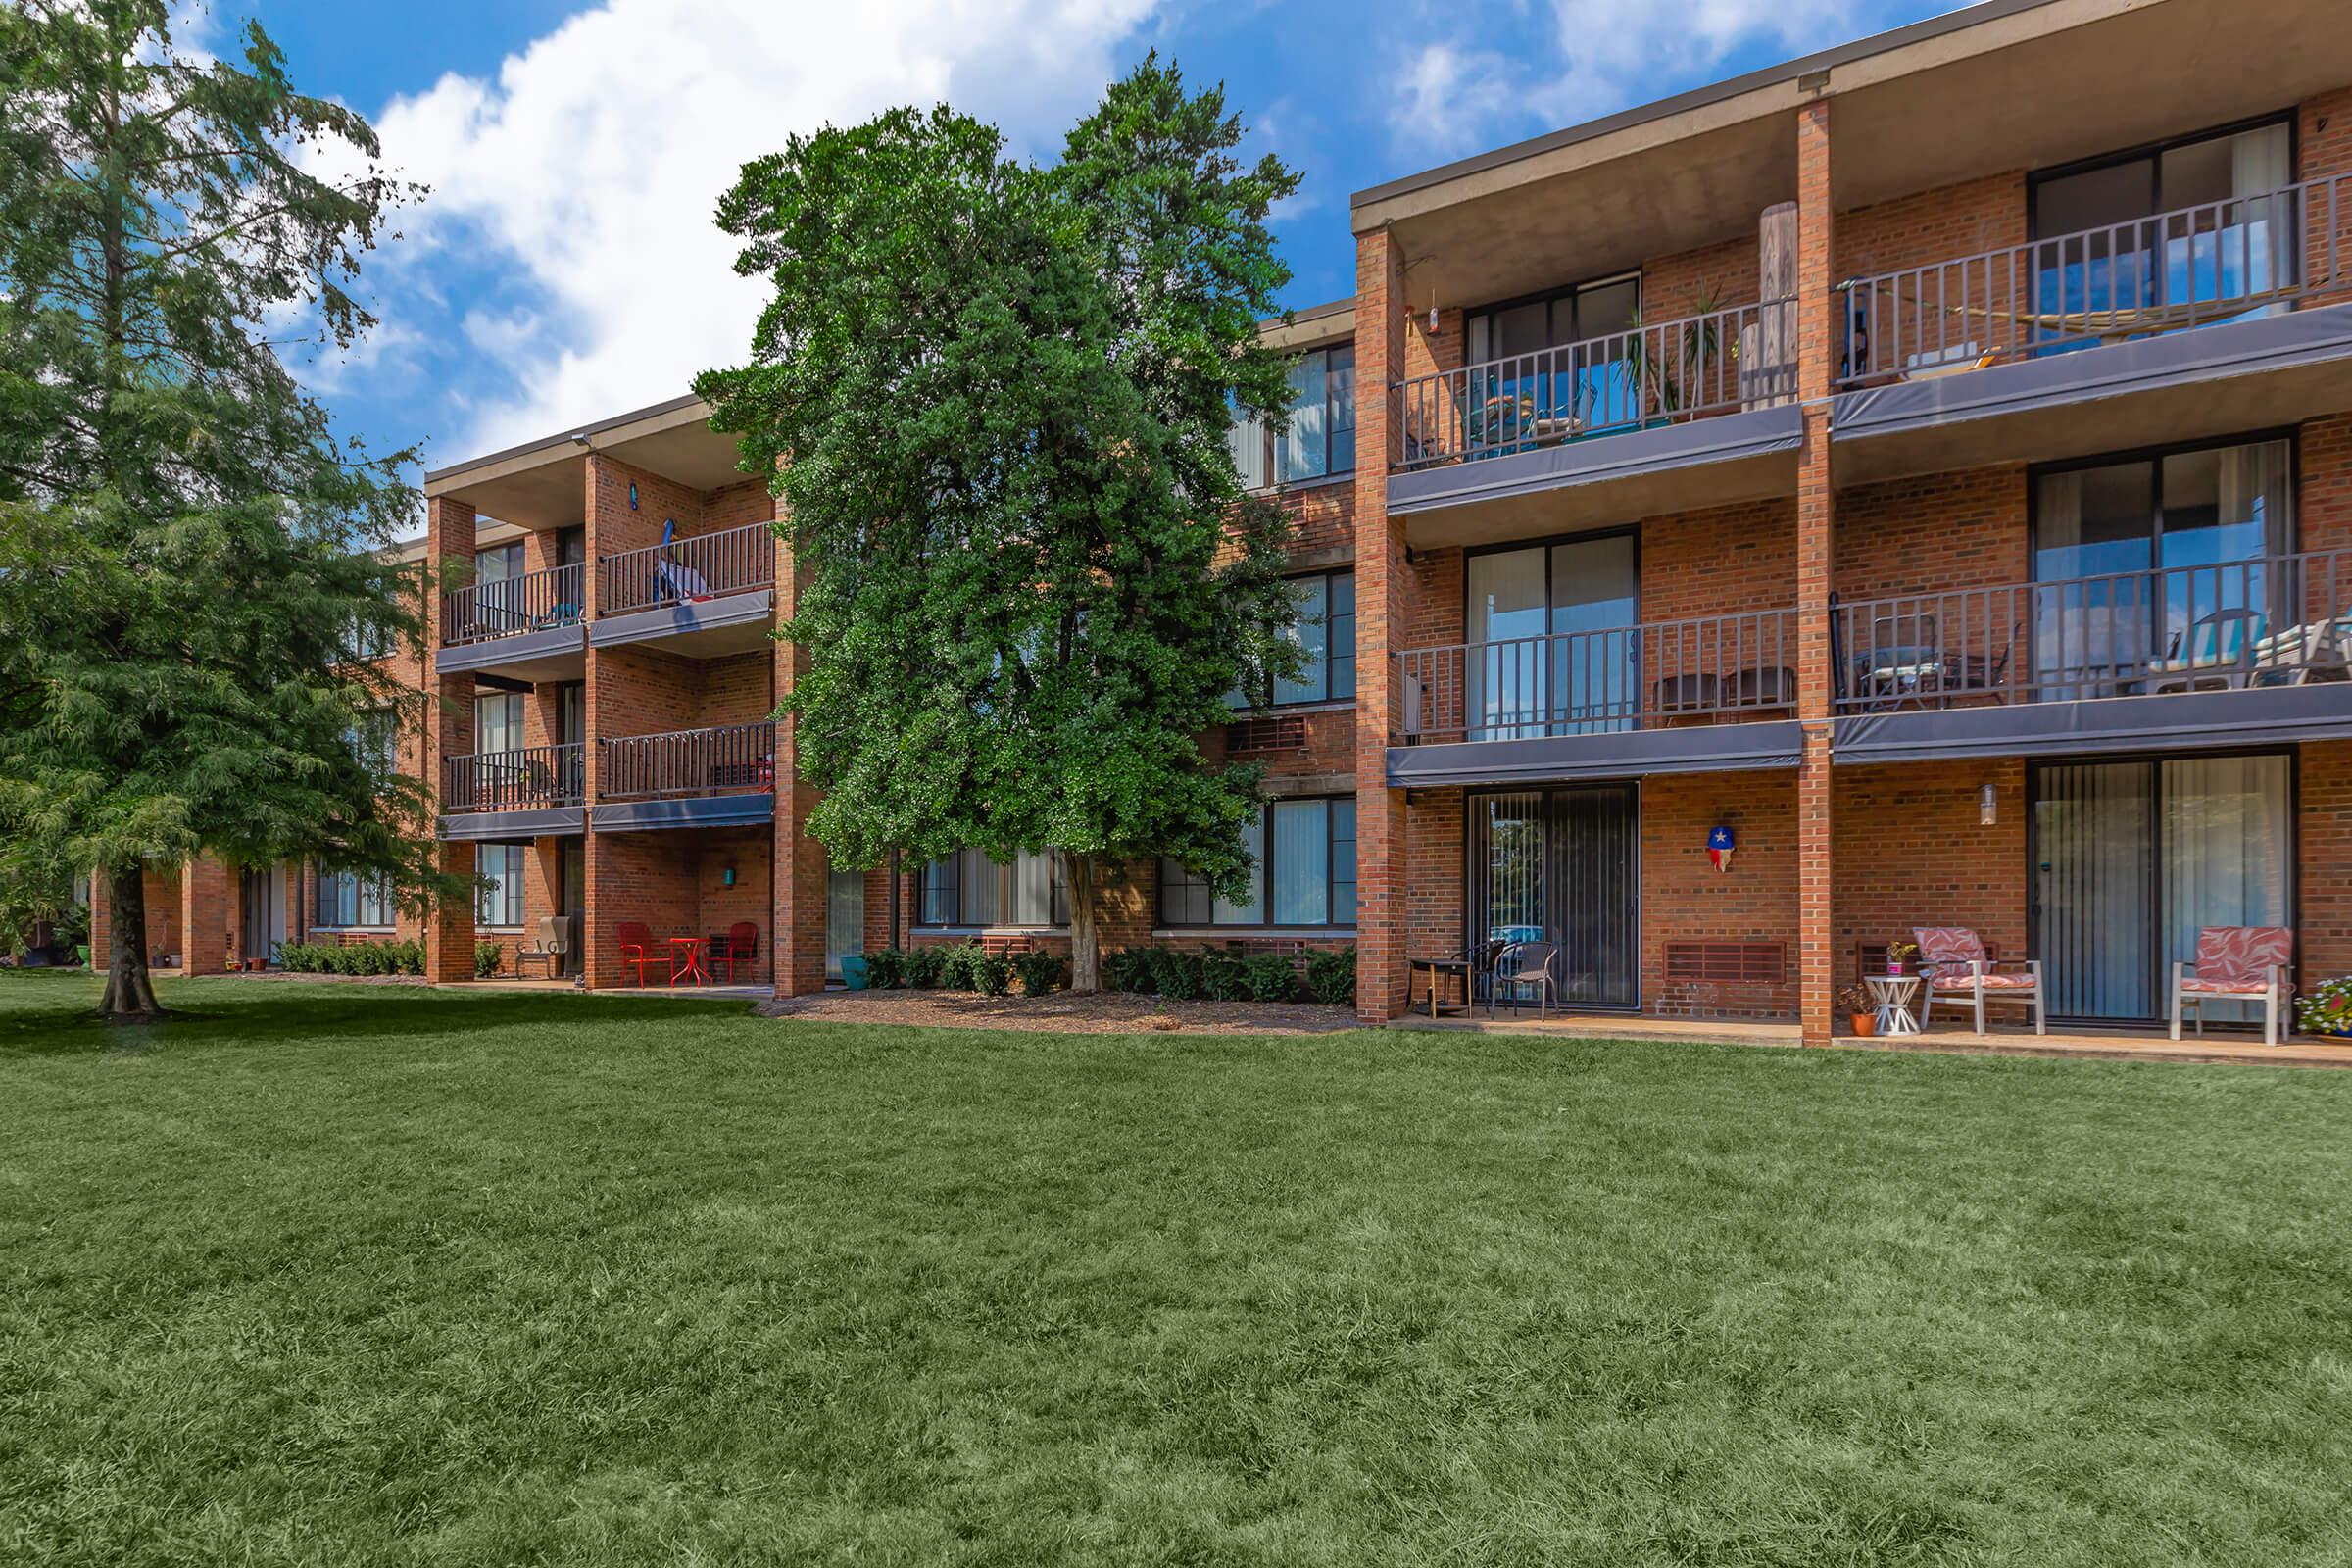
(1817, 521)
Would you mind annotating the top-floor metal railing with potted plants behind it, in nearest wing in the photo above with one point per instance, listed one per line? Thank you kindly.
(1737, 359)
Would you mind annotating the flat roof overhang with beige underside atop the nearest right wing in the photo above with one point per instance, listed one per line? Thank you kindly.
(2033, 83)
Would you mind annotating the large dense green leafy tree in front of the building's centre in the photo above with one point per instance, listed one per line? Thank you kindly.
(996, 403)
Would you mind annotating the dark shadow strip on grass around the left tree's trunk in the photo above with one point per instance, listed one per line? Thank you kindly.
(60, 1014)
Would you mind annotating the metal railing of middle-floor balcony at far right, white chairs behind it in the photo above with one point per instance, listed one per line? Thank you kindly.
(2273, 622)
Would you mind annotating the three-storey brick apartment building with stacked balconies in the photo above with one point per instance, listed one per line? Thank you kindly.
(1927, 462)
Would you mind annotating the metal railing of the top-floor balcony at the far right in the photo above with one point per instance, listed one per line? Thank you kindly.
(2193, 267)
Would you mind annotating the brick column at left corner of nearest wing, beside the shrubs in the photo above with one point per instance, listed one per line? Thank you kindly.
(1379, 619)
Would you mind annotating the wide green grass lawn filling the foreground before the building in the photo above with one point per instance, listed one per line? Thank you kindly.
(417, 1278)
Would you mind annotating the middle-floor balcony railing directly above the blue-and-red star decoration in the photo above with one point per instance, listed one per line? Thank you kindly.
(1601, 681)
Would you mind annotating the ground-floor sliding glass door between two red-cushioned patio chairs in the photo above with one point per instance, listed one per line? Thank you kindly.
(2132, 859)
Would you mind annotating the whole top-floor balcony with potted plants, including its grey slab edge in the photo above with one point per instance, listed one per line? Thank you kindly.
(1659, 417)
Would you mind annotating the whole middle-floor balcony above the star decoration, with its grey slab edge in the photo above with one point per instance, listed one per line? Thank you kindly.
(1706, 695)
